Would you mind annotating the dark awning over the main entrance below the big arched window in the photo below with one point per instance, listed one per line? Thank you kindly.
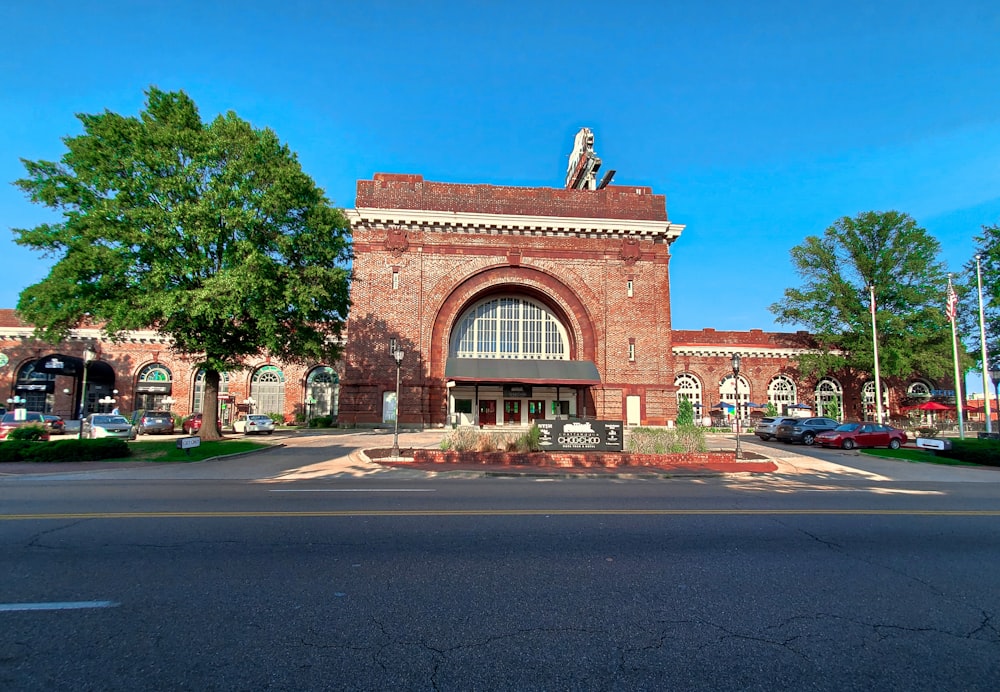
(541, 372)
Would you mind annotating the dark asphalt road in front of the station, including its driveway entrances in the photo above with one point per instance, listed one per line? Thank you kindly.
(309, 569)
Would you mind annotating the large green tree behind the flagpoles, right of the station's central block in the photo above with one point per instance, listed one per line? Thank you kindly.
(887, 250)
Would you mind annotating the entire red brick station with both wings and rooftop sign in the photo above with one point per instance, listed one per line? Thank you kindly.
(507, 303)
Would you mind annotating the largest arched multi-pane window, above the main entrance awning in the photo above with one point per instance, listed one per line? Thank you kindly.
(510, 328)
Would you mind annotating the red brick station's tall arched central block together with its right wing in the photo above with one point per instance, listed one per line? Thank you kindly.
(513, 303)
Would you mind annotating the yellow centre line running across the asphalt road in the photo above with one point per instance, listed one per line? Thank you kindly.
(508, 513)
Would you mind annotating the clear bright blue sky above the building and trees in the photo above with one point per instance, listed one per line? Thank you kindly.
(762, 122)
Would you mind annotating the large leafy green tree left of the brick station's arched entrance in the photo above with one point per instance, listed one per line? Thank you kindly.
(209, 233)
